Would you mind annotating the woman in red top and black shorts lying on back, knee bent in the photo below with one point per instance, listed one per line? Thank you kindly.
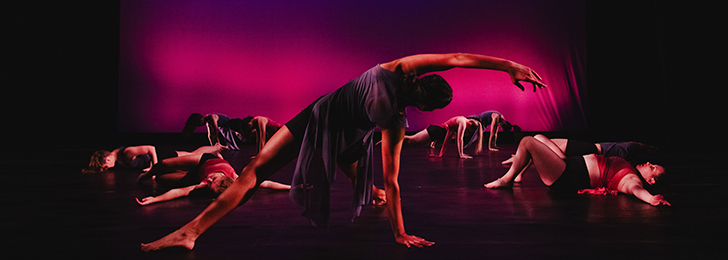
(571, 174)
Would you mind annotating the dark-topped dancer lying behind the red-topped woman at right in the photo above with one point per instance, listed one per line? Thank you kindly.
(633, 152)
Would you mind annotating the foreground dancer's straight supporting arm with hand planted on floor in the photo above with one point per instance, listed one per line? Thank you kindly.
(391, 148)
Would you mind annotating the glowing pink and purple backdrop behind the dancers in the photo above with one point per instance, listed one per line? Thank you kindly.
(272, 58)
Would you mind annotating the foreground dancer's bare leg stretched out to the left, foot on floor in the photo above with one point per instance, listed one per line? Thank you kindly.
(276, 154)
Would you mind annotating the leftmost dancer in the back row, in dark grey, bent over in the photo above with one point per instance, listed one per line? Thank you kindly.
(220, 129)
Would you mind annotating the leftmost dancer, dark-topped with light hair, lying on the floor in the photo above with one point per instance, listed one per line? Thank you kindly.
(138, 157)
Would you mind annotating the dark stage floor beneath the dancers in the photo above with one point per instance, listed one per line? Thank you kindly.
(51, 210)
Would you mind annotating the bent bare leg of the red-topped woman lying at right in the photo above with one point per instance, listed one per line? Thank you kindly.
(549, 164)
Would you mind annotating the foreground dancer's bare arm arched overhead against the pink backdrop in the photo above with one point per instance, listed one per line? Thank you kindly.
(425, 63)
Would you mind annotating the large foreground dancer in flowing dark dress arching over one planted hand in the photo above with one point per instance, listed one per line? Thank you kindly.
(337, 128)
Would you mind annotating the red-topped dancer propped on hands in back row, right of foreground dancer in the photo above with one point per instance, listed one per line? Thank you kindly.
(457, 127)
